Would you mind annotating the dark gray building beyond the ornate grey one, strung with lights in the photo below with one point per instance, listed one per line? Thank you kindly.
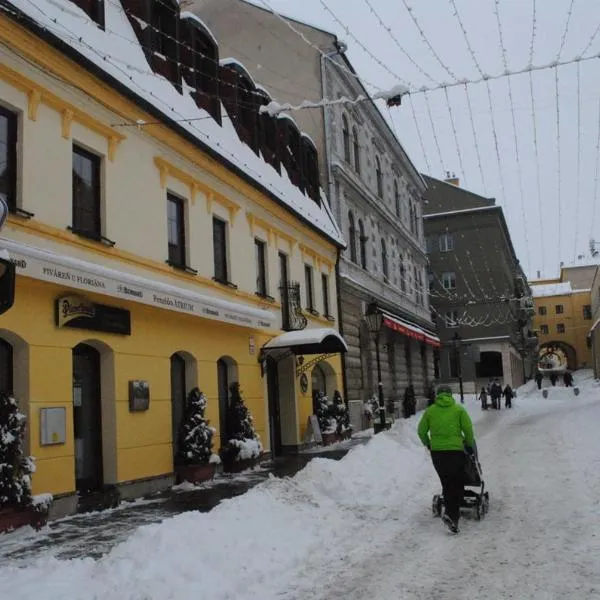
(479, 294)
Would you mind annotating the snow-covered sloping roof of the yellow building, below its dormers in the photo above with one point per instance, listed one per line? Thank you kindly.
(116, 51)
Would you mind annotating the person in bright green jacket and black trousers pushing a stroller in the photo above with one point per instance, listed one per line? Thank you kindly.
(446, 430)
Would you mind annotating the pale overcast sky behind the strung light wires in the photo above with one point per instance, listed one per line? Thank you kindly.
(546, 227)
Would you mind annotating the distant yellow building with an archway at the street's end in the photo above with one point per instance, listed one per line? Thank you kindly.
(562, 320)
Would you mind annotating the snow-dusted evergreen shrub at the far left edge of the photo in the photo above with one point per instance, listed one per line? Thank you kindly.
(15, 467)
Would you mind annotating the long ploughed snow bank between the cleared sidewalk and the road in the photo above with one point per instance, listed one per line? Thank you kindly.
(245, 545)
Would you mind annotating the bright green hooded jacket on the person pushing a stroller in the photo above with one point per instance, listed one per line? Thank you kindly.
(446, 425)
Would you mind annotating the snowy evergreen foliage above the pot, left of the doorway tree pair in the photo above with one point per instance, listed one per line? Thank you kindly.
(196, 435)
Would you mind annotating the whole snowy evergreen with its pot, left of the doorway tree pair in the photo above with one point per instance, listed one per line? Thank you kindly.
(195, 461)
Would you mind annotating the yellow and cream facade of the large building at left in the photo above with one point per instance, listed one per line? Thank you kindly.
(110, 322)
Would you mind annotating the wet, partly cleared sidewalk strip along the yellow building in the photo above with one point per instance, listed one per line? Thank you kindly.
(94, 534)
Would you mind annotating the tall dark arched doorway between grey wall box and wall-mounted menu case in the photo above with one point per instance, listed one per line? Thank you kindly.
(87, 419)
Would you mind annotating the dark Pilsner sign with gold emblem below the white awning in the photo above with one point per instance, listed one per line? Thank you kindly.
(79, 313)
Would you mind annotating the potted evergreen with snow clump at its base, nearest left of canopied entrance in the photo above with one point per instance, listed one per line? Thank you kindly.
(244, 448)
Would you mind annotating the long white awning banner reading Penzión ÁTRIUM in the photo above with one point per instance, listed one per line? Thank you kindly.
(43, 265)
